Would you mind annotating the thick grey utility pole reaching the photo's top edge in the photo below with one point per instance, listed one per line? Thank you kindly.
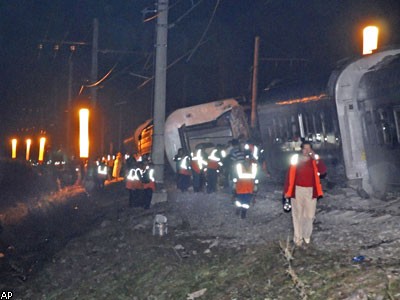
(160, 90)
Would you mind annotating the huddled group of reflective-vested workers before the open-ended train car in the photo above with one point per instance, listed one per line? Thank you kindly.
(236, 166)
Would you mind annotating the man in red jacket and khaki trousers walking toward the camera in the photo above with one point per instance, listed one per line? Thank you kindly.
(303, 186)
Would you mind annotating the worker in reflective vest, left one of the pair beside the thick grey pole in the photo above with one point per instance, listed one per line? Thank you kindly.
(134, 185)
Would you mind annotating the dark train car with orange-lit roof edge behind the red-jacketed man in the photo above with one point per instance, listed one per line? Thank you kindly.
(292, 113)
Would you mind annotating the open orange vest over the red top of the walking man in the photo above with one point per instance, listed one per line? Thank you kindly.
(290, 186)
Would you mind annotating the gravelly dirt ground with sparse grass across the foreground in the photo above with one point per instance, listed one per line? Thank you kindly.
(102, 249)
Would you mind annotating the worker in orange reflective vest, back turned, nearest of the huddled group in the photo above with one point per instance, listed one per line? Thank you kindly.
(245, 184)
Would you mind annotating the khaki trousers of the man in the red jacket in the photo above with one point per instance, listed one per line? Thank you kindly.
(303, 213)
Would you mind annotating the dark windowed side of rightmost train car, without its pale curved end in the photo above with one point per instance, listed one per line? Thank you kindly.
(378, 100)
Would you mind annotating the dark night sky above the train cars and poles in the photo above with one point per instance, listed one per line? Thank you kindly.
(33, 90)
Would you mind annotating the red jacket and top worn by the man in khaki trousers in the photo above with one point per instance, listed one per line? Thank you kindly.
(304, 173)
